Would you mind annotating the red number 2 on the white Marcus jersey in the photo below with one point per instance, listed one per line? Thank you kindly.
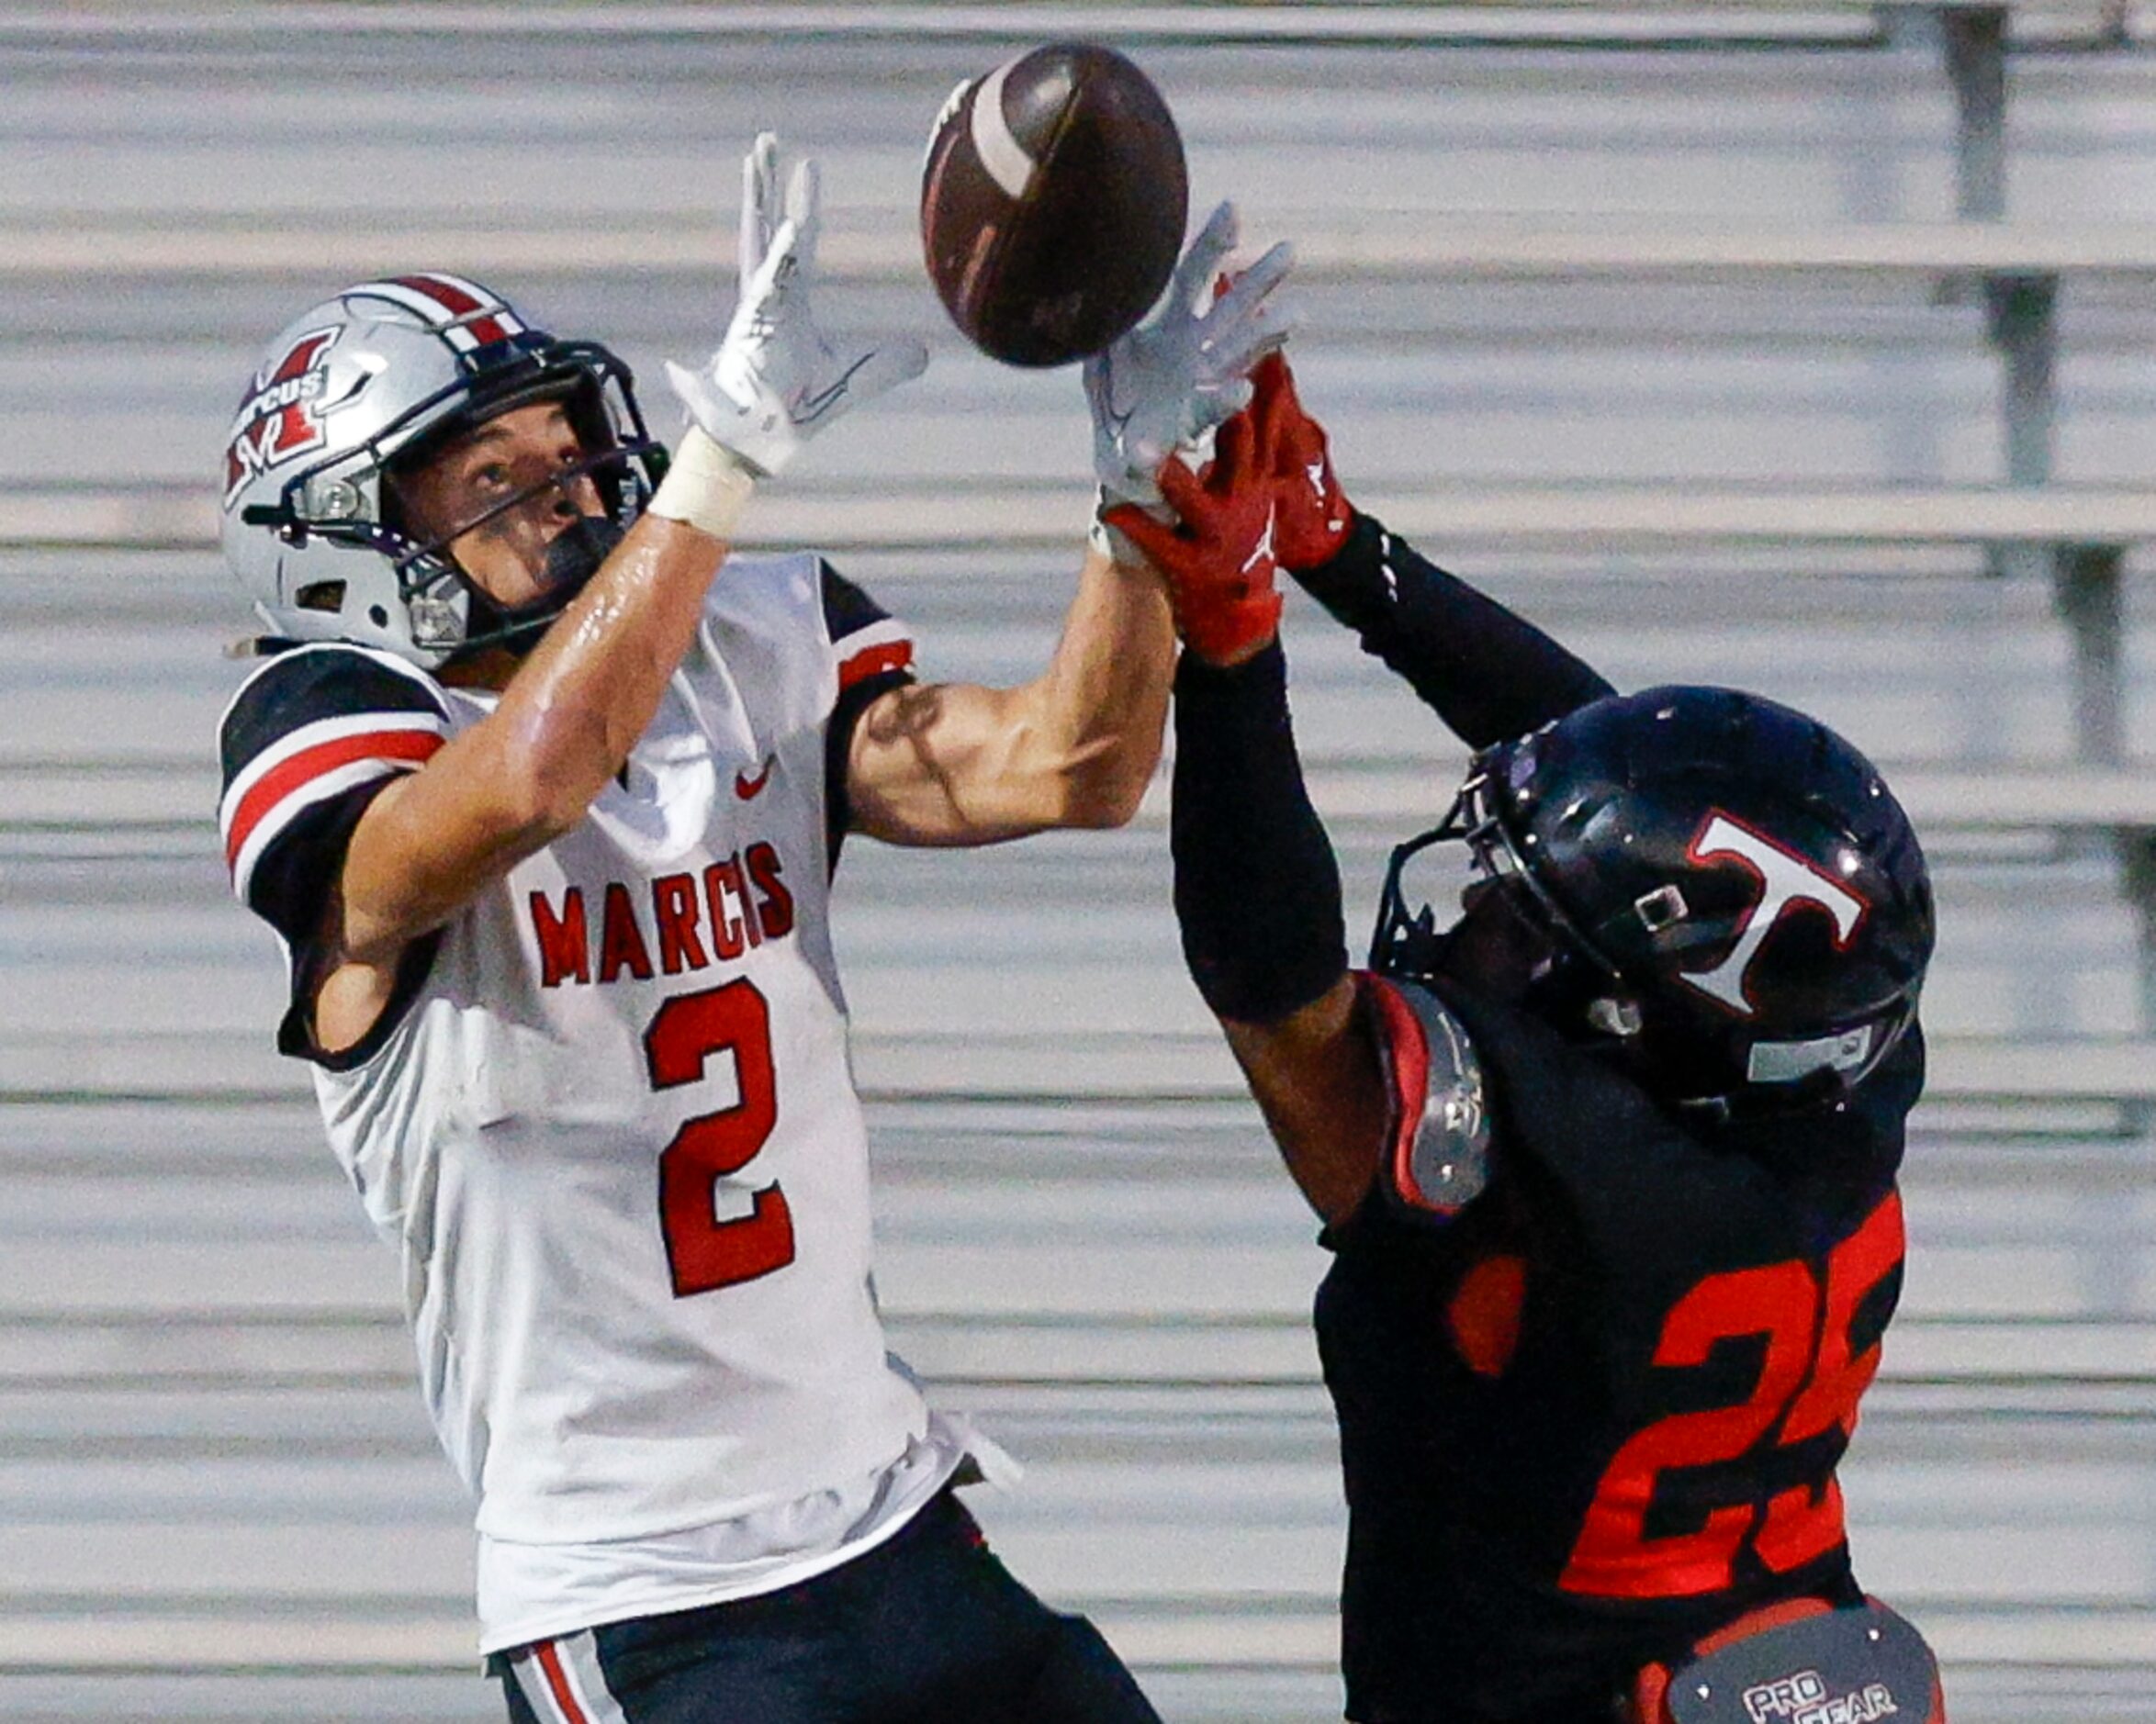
(685, 1035)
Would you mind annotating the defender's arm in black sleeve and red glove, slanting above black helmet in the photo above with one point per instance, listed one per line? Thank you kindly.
(1489, 673)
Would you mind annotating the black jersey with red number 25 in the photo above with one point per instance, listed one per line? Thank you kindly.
(1597, 1413)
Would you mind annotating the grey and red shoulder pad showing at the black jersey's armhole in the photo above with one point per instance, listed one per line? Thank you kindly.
(1439, 1152)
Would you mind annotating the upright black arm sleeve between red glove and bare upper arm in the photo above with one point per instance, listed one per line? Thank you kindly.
(1258, 893)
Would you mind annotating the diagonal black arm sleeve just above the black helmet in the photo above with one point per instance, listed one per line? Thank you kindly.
(1484, 671)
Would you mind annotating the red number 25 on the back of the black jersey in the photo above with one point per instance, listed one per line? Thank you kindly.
(1808, 1357)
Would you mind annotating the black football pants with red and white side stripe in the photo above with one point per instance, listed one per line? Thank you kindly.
(928, 1628)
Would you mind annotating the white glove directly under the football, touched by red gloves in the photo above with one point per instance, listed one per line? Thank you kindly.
(1187, 372)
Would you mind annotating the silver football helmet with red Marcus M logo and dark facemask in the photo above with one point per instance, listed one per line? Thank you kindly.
(385, 374)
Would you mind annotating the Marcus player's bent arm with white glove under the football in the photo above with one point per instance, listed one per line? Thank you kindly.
(958, 764)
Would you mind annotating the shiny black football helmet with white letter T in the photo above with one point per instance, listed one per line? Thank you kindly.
(1726, 891)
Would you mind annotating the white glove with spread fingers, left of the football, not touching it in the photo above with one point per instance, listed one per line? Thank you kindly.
(775, 383)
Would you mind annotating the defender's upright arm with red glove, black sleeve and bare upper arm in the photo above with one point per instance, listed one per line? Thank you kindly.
(1258, 893)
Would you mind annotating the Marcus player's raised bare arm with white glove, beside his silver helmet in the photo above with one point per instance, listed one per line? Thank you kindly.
(579, 704)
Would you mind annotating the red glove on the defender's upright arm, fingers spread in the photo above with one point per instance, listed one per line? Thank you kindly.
(1219, 551)
